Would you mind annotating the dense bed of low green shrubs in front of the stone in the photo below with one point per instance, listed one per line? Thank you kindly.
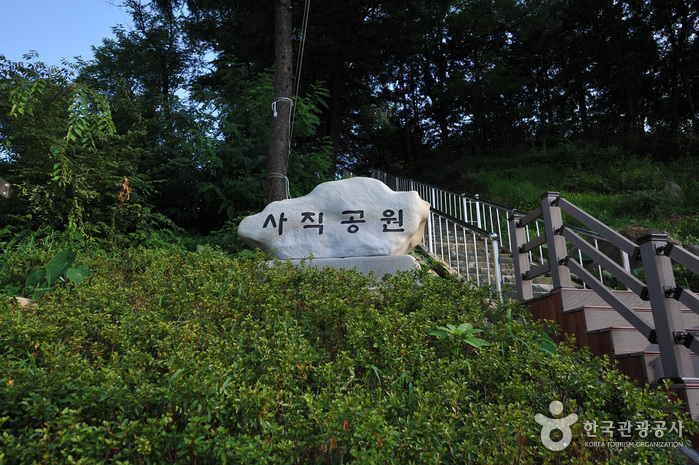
(169, 356)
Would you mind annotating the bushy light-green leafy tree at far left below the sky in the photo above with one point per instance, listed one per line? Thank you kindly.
(70, 169)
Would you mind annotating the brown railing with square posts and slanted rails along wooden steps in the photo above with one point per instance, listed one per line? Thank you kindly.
(654, 251)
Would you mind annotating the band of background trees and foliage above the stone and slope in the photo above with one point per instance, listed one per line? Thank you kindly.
(169, 123)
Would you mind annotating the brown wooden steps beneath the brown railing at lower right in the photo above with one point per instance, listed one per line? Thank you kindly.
(582, 313)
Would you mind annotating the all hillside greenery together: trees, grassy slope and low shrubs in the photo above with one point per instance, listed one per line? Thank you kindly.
(154, 338)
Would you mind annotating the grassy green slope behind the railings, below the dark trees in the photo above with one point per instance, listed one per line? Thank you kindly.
(616, 186)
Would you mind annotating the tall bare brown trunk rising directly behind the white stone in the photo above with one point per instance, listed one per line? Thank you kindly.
(279, 136)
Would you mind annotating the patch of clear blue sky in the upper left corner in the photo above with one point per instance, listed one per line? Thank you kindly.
(56, 28)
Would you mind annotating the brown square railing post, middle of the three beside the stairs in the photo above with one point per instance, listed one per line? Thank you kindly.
(553, 220)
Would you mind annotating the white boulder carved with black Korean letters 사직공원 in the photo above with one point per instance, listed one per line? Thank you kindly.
(352, 217)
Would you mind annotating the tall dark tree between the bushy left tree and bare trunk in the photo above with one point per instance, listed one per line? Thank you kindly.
(147, 72)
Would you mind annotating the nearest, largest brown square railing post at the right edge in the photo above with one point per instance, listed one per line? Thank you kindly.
(667, 312)
